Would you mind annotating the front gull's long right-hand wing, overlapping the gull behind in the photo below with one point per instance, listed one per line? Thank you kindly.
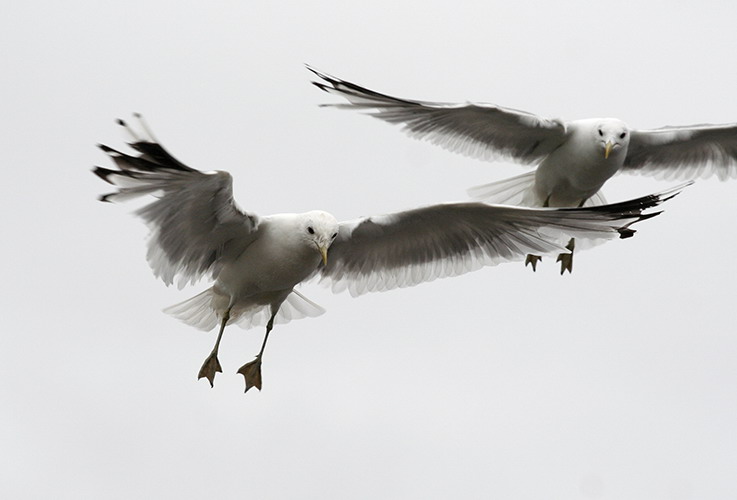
(403, 249)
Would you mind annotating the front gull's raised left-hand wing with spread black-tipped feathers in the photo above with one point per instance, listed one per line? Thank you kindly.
(194, 221)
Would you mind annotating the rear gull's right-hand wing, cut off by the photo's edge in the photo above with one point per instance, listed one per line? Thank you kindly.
(684, 152)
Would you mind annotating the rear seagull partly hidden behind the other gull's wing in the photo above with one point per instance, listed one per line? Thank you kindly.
(574, 158)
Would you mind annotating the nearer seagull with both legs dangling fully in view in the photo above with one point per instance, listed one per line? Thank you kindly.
(255, 262)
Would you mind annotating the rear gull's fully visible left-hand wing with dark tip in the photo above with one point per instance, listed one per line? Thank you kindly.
(483, 131)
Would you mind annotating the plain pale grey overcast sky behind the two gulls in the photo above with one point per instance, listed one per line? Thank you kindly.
(616, 382)
